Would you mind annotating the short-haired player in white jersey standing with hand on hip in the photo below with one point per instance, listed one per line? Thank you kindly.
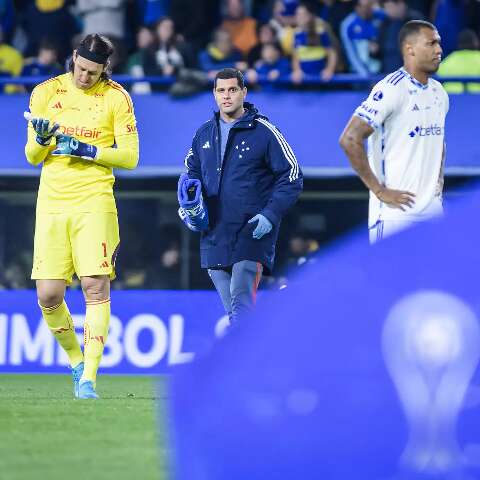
(404, 121)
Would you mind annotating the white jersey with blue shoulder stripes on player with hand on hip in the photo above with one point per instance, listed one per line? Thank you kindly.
(405, 150)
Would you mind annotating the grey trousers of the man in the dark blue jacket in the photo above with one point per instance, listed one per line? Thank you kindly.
(237, 286)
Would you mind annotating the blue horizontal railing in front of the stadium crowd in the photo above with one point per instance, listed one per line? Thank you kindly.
(341, 79)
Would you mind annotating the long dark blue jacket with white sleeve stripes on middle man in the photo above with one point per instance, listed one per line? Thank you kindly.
(259, 174)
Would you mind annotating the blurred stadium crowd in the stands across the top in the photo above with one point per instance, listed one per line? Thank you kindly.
(187, 41)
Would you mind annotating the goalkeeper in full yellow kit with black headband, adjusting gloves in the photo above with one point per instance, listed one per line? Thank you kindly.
(82, 125)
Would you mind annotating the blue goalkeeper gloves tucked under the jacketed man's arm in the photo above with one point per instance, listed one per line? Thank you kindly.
(192, 211)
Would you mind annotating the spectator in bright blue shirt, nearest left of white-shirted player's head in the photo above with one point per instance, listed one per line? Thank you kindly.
(359, 33)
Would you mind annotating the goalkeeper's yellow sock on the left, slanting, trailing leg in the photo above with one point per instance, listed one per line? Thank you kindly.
(60, 323)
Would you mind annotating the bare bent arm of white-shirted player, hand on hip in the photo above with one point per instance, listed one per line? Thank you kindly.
(352, 141)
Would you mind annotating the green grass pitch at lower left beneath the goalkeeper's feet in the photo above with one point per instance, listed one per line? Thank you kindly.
(46, 434)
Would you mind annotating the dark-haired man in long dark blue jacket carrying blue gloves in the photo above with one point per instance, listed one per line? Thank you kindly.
(249, 178)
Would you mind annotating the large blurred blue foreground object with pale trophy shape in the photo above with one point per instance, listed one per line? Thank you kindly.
(365, 367)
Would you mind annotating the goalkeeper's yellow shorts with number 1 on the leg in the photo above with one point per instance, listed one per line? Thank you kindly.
(81, 243)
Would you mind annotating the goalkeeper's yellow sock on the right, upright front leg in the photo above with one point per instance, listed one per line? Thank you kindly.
(97, 320)
